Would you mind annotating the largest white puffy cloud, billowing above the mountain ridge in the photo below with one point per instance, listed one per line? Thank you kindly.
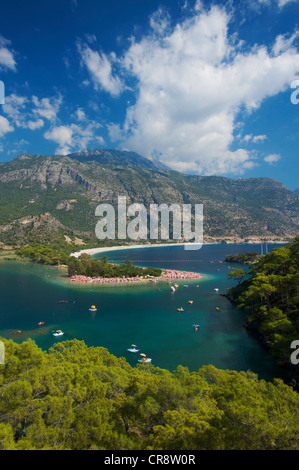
(192, 81)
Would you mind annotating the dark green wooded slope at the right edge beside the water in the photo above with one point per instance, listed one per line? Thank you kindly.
(270, 296)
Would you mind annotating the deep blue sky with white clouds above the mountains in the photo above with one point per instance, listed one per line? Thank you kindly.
(208, 88)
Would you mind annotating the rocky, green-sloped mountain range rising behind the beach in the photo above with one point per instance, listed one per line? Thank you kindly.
(42, 195)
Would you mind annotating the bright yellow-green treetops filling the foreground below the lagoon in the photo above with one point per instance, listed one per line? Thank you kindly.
(83, 398)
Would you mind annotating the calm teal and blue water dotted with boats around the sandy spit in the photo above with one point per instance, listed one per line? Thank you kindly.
(145, 315)
